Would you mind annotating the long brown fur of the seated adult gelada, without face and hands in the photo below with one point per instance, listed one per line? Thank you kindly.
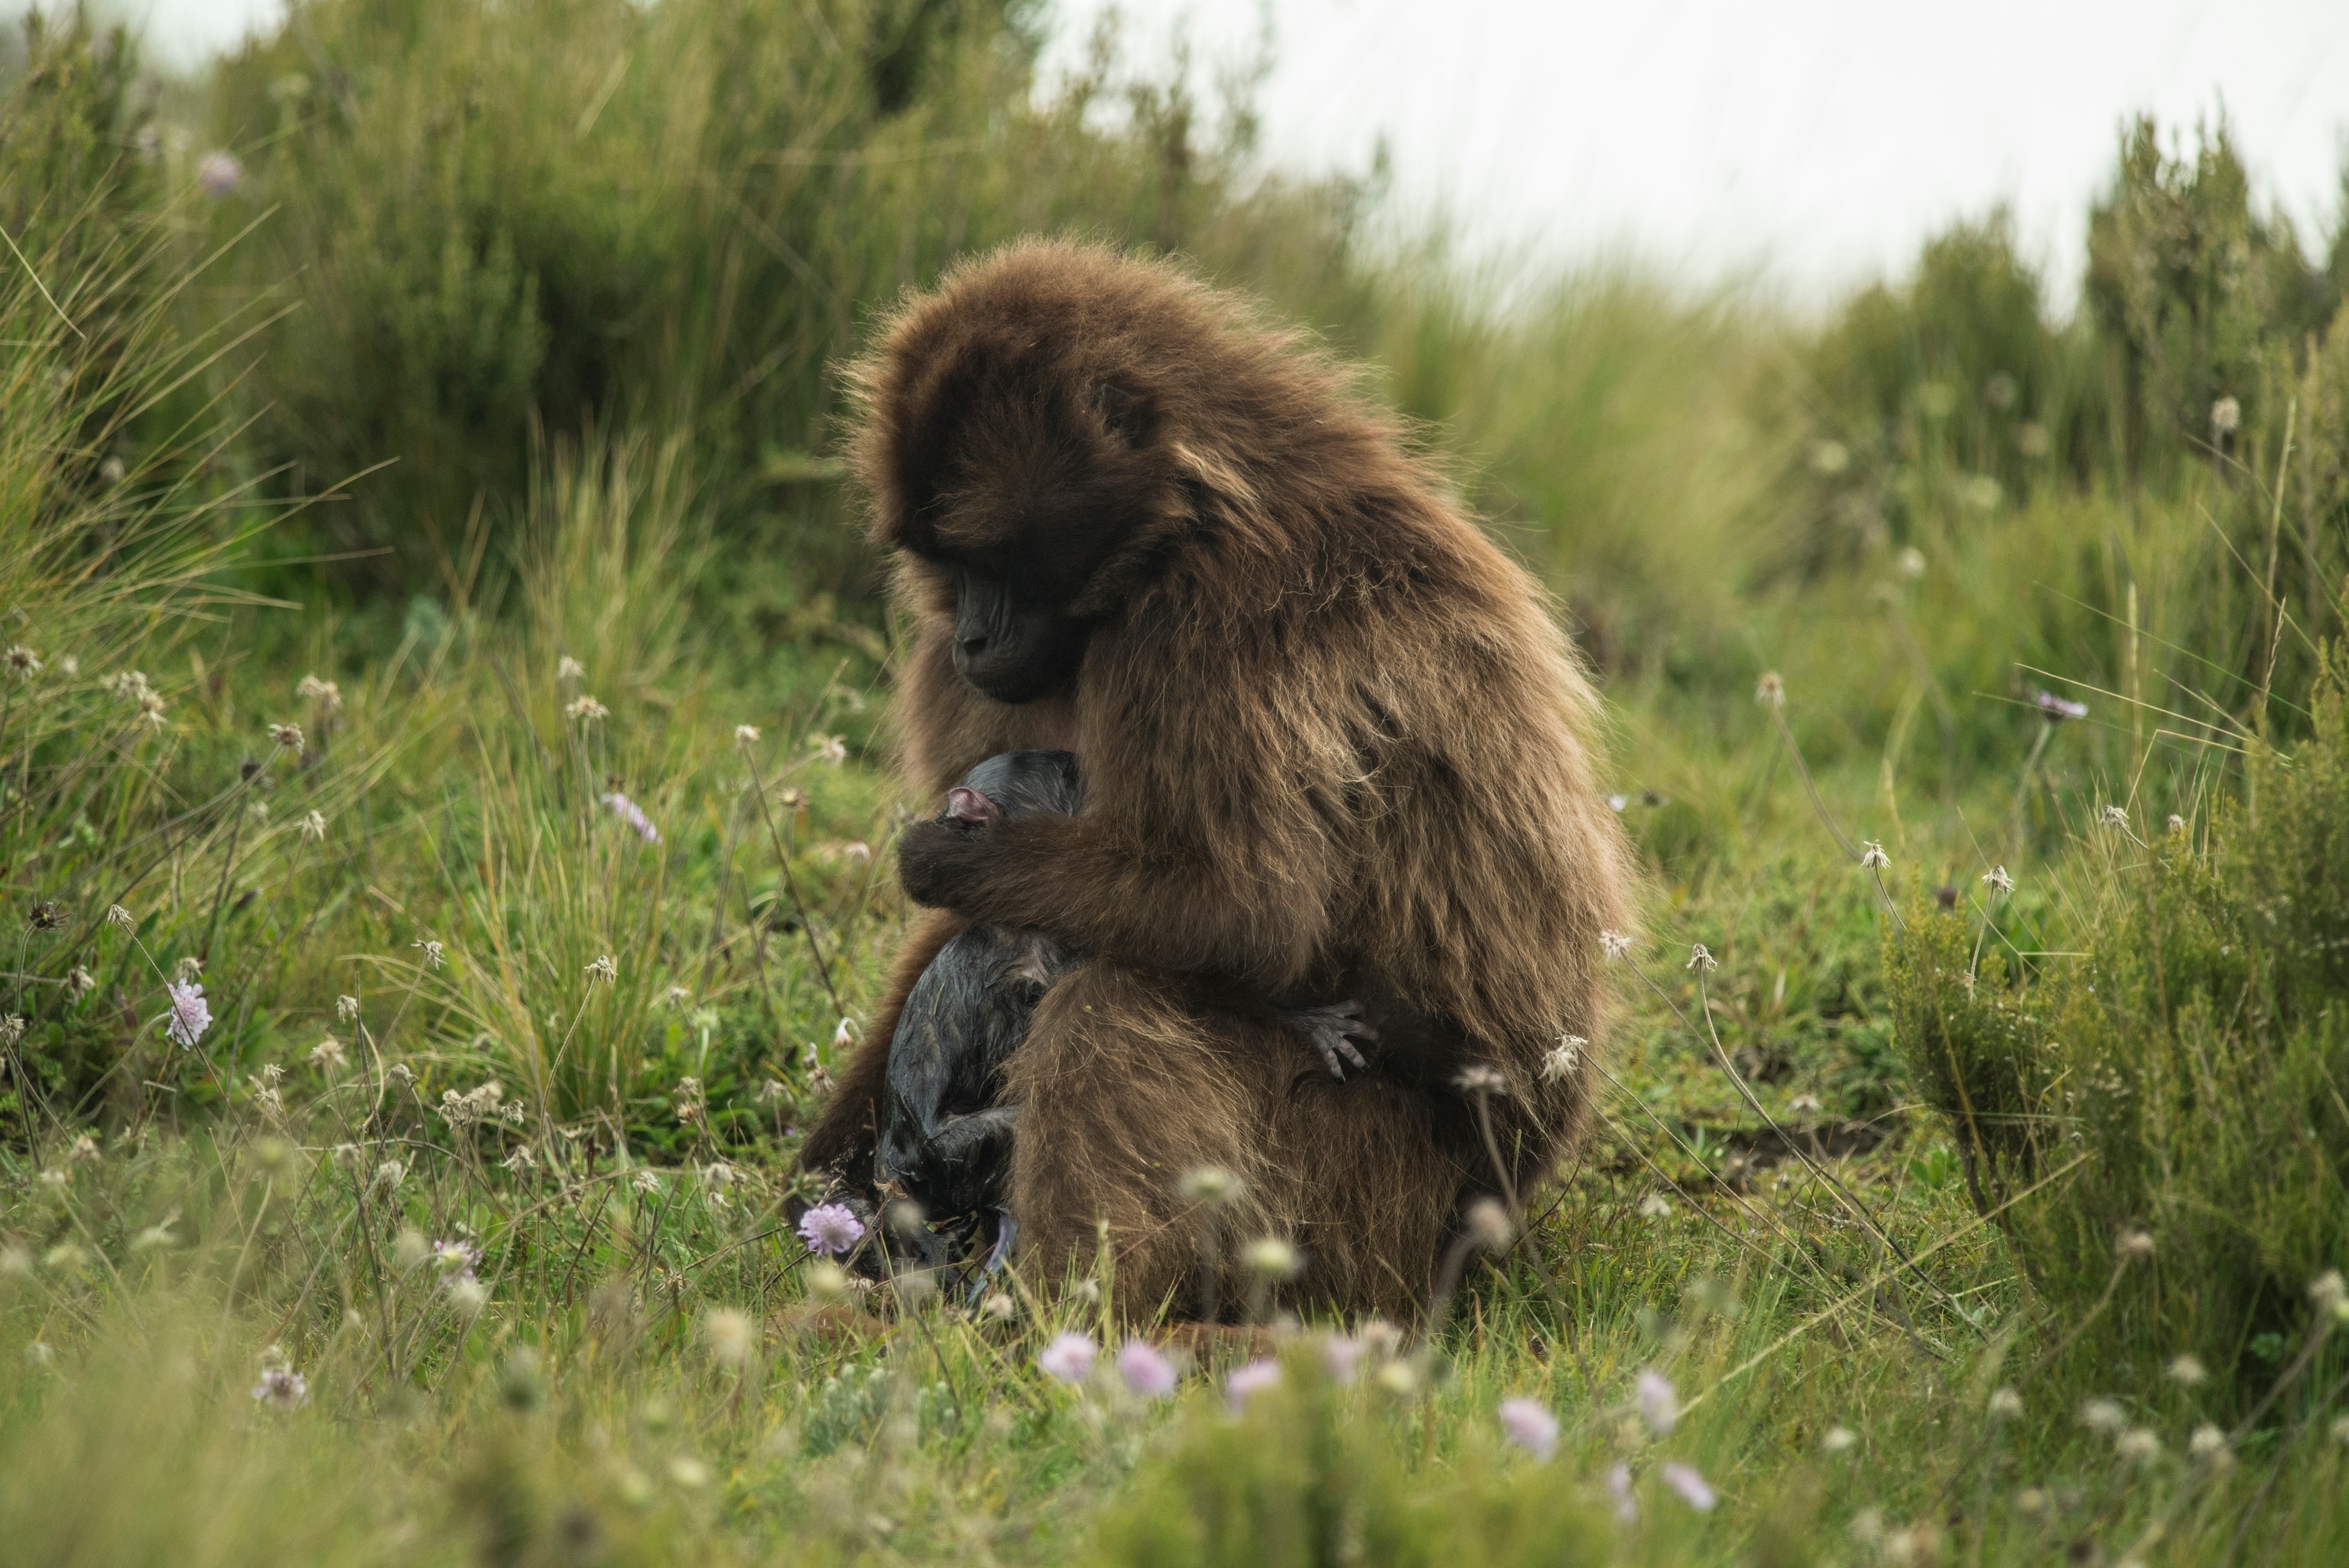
(1326, 729)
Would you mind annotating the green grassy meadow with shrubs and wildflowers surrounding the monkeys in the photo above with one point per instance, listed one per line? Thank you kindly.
(447, 823)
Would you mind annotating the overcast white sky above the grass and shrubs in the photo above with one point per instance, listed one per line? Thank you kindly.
(1817, 137)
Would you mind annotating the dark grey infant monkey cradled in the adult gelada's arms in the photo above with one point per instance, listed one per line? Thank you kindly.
(945, 1140)
